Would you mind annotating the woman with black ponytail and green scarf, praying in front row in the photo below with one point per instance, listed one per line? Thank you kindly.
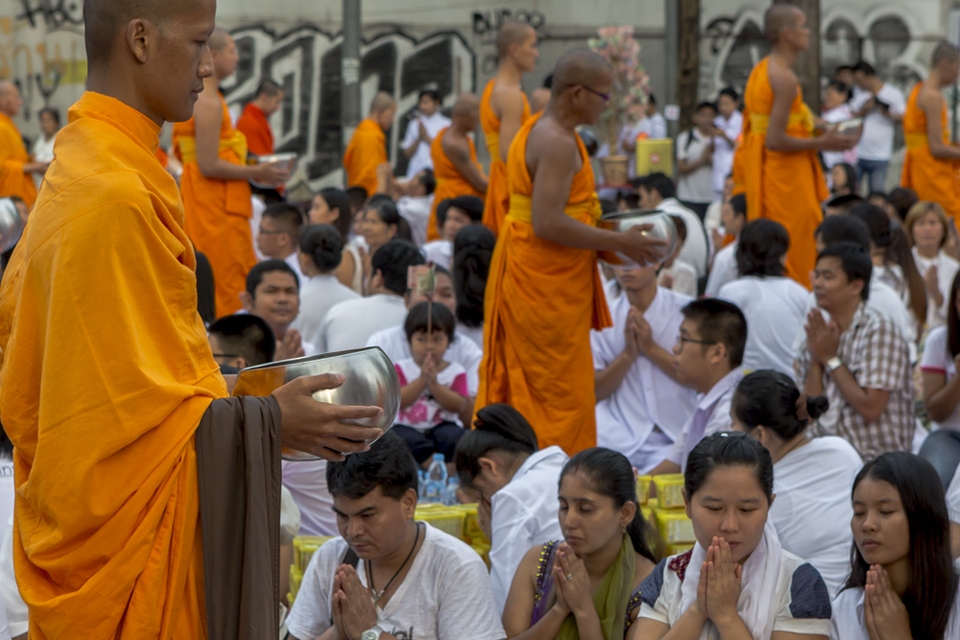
(588, 584)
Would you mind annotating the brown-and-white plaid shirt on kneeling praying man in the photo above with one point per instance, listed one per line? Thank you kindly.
(873, 350)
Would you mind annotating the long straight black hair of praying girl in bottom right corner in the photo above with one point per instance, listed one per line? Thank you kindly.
(932, 590)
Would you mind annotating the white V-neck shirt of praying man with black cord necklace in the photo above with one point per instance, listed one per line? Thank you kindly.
(446, 595)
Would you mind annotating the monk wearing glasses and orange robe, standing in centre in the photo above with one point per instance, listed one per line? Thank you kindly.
(544, 292)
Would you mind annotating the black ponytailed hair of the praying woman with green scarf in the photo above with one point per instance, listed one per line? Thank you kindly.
(611, 474)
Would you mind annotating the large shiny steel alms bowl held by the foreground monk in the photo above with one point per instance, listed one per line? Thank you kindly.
(369, 380)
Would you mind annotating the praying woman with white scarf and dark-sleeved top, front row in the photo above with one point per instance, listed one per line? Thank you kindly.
(737, 582)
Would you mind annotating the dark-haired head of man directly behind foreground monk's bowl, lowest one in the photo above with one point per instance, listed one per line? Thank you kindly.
(242, 340)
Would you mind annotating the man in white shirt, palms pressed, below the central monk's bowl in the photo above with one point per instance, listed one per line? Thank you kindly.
(641, 408)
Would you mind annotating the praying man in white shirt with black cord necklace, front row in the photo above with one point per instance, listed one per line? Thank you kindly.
(390, 577)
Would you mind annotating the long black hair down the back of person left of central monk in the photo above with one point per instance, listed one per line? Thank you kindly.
(472, 255)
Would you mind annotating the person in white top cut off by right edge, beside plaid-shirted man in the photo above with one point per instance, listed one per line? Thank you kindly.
(941, 358)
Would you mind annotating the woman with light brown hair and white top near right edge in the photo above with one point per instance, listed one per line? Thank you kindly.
(927, 226)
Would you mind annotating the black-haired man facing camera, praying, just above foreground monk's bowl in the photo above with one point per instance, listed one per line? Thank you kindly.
(273, 293)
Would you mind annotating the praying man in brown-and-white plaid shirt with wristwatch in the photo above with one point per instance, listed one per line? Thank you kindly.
(858, 359)
